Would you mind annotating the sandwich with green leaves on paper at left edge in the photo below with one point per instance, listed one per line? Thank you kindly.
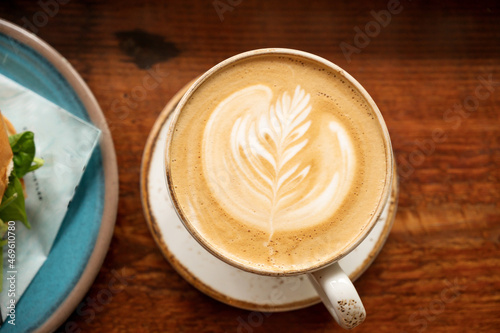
(17, 158)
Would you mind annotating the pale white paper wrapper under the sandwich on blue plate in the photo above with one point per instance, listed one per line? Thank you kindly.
(66, 143)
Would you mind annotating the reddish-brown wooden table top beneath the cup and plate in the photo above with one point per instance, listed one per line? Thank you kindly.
(432, 68)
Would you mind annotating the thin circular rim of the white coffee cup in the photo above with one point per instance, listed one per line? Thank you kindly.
(368, 226)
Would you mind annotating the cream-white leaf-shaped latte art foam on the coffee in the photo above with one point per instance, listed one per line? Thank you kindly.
(277, 173)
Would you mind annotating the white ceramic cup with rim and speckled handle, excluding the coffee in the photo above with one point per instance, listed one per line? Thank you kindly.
(332, 284)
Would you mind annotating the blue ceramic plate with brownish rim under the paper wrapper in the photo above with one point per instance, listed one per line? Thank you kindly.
(84, 236)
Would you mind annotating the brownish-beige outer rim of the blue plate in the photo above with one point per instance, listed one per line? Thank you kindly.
(110, 170)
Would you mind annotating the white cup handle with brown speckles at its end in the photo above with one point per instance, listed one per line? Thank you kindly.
(339, 295)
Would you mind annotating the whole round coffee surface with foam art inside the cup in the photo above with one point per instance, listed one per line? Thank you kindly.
(278, 162)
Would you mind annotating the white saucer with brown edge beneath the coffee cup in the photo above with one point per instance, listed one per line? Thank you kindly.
(214, 277)
